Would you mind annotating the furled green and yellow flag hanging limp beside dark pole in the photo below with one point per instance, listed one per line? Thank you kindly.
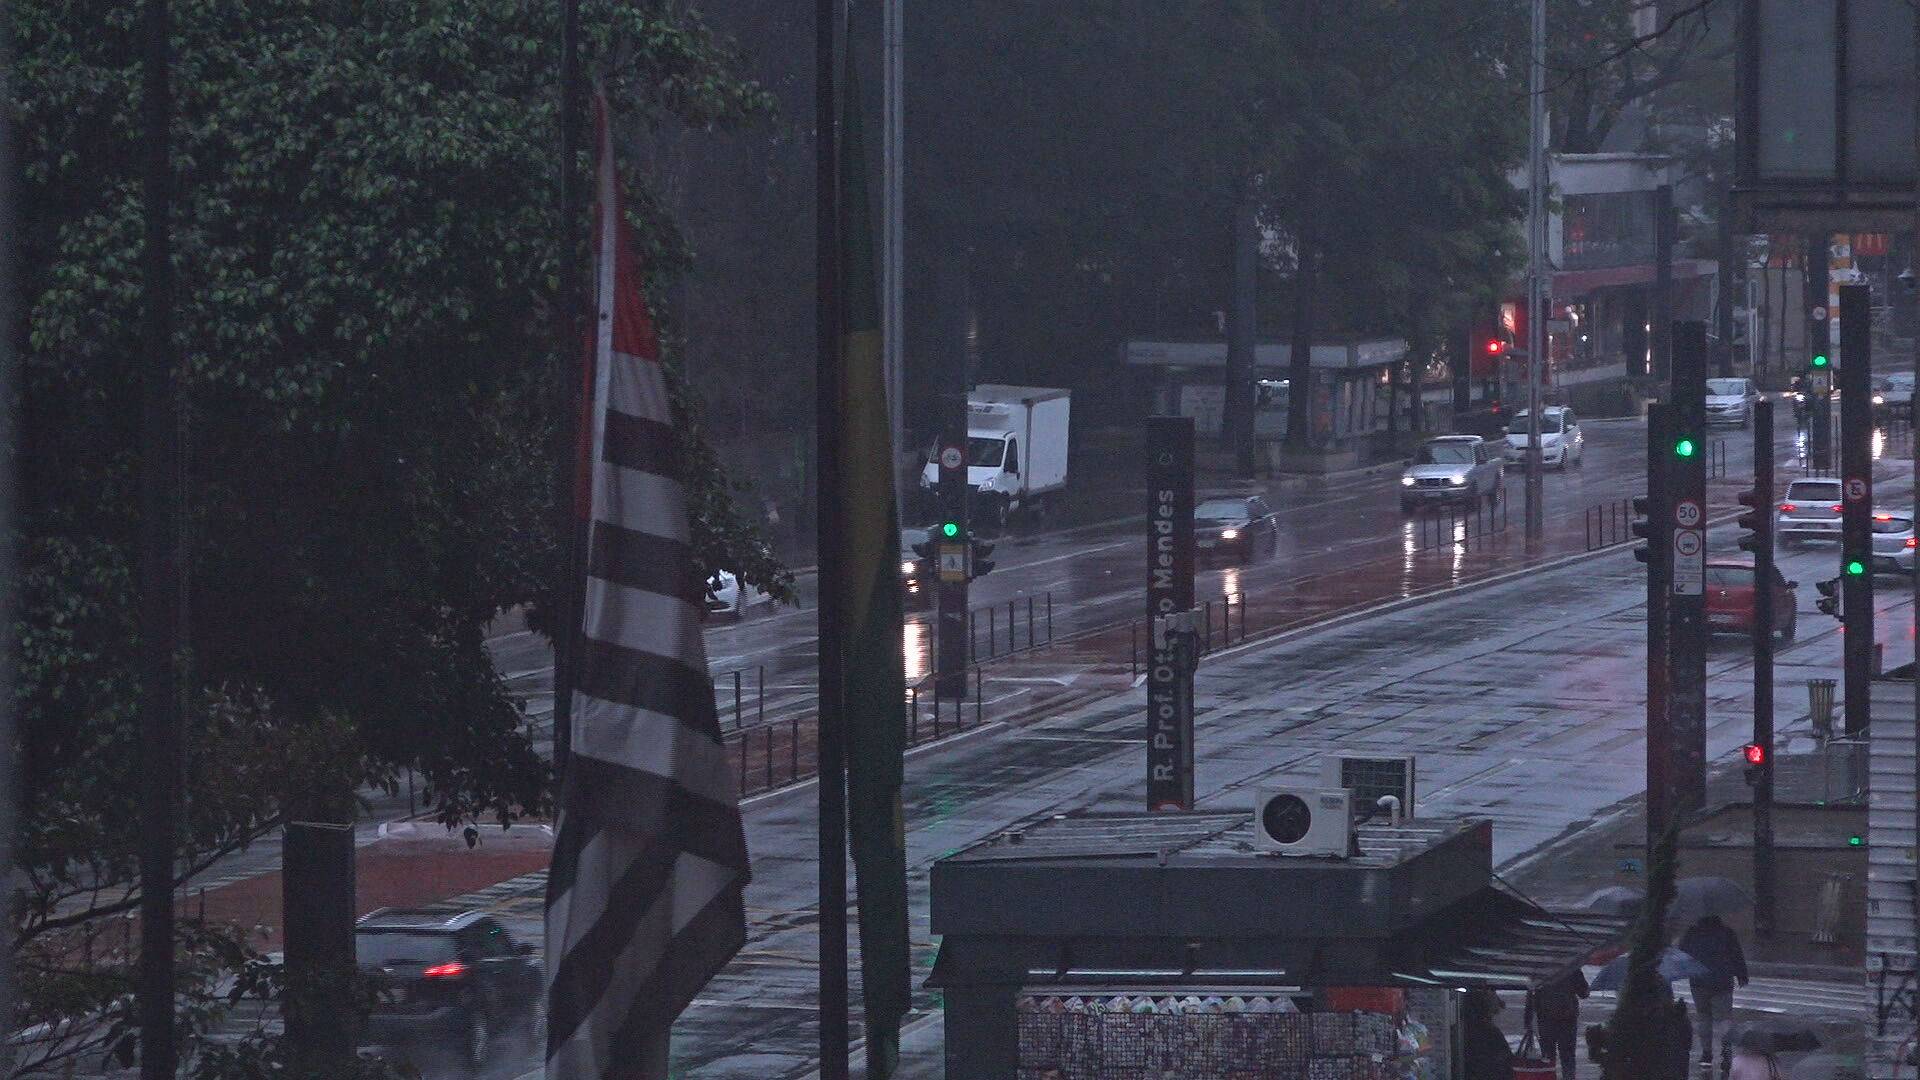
(875, 675)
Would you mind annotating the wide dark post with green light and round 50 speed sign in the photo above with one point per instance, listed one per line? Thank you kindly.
(1689, 604)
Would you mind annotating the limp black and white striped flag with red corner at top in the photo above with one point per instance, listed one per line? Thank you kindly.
(644, 898)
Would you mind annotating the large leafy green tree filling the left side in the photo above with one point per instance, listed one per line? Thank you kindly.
(366, 241)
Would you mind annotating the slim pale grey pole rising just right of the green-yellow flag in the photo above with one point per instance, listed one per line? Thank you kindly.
(894, 222)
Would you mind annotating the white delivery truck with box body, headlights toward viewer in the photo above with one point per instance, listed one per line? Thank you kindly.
(1017, 449)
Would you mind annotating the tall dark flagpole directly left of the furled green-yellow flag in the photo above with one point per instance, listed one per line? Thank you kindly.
(832, 735)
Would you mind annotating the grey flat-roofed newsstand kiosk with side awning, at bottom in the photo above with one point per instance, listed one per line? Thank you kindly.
(1143, 946)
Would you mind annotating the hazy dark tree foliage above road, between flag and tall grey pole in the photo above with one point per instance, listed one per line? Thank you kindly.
(1105, 143)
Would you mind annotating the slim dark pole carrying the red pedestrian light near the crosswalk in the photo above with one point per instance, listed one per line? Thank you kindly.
(1762, 531)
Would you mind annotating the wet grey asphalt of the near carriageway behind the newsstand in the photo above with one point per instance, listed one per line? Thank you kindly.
(1524, 702)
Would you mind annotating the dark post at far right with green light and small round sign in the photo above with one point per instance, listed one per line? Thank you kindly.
(1856, 503)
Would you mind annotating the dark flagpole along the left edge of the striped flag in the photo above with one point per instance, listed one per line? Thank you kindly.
(567, 397)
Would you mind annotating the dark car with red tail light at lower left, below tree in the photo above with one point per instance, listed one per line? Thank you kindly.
(450, 981)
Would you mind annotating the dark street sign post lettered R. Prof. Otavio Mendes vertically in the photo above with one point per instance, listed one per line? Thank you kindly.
(1170, 599)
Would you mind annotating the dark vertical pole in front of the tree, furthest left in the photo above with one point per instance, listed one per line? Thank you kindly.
(162, 618)
